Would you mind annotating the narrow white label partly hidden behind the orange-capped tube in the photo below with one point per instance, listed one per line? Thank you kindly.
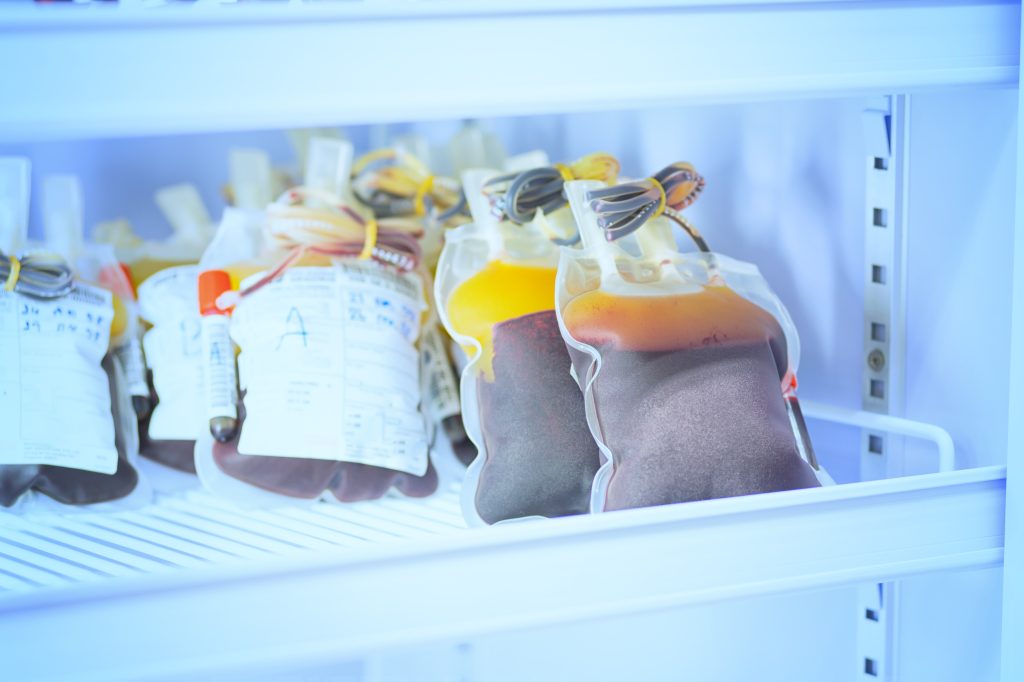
(175, 352)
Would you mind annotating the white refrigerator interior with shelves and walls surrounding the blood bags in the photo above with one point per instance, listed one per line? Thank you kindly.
(865, 156)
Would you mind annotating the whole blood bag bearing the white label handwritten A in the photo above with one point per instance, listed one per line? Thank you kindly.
(325, 306)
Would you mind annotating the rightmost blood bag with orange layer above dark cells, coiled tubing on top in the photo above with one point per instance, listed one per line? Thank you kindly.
(685, 359)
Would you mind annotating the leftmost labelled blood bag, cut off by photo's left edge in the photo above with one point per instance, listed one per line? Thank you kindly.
(57, 333)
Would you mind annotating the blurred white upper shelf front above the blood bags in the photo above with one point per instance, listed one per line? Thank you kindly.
(98, 72)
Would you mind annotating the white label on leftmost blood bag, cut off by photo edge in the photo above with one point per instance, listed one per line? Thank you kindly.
(55, 396)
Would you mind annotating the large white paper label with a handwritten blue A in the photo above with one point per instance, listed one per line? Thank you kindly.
(330, 367)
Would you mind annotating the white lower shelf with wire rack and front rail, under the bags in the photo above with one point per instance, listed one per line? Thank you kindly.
(312, 583)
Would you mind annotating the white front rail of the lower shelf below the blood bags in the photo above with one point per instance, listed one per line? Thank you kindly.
(329, 608)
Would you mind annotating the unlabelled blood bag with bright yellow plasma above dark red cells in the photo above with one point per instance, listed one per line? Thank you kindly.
(496, 292)
